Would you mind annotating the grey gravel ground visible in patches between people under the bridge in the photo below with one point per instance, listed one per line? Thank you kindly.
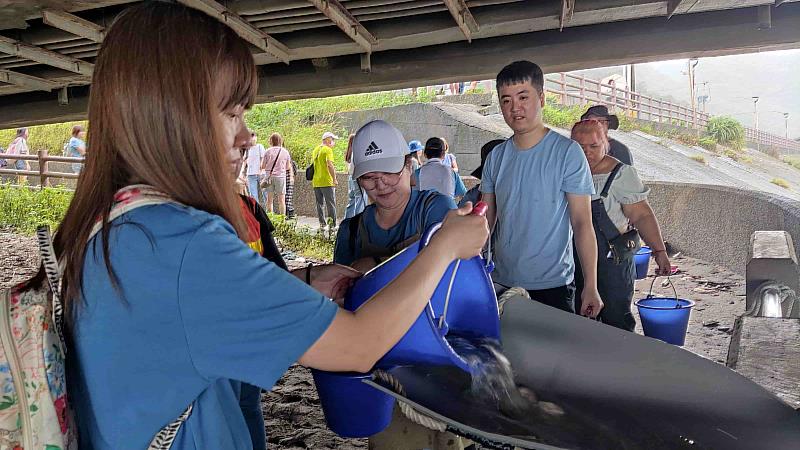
(293, 414)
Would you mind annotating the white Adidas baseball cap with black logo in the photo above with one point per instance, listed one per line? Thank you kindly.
(378, 147)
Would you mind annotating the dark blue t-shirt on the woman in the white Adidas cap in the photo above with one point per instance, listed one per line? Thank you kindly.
(435, 209)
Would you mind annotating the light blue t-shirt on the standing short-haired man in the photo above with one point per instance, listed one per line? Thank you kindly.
(533, 236)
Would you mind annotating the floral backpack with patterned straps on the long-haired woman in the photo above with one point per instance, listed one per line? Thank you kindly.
(32, 353)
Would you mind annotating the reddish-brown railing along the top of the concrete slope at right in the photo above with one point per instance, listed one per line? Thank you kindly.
(574, 89)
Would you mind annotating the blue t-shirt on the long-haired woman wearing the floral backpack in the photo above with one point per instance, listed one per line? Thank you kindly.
(201, 314)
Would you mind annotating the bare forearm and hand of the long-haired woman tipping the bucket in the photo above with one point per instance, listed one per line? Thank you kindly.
(356, 340)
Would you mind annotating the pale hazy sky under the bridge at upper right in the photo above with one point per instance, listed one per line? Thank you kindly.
(732, 81)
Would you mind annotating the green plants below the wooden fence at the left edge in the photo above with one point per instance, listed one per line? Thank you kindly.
(23, 209)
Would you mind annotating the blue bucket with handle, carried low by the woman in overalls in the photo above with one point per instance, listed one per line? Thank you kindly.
(665, 318)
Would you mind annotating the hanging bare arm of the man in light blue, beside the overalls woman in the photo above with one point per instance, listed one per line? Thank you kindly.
(580, 216)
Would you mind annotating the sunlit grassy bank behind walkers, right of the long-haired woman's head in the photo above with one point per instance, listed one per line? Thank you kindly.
(302, 122)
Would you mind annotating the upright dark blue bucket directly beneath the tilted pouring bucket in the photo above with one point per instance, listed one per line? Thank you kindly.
(352, 408)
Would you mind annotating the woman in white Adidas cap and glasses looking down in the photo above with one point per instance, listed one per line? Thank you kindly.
(397, 216)
